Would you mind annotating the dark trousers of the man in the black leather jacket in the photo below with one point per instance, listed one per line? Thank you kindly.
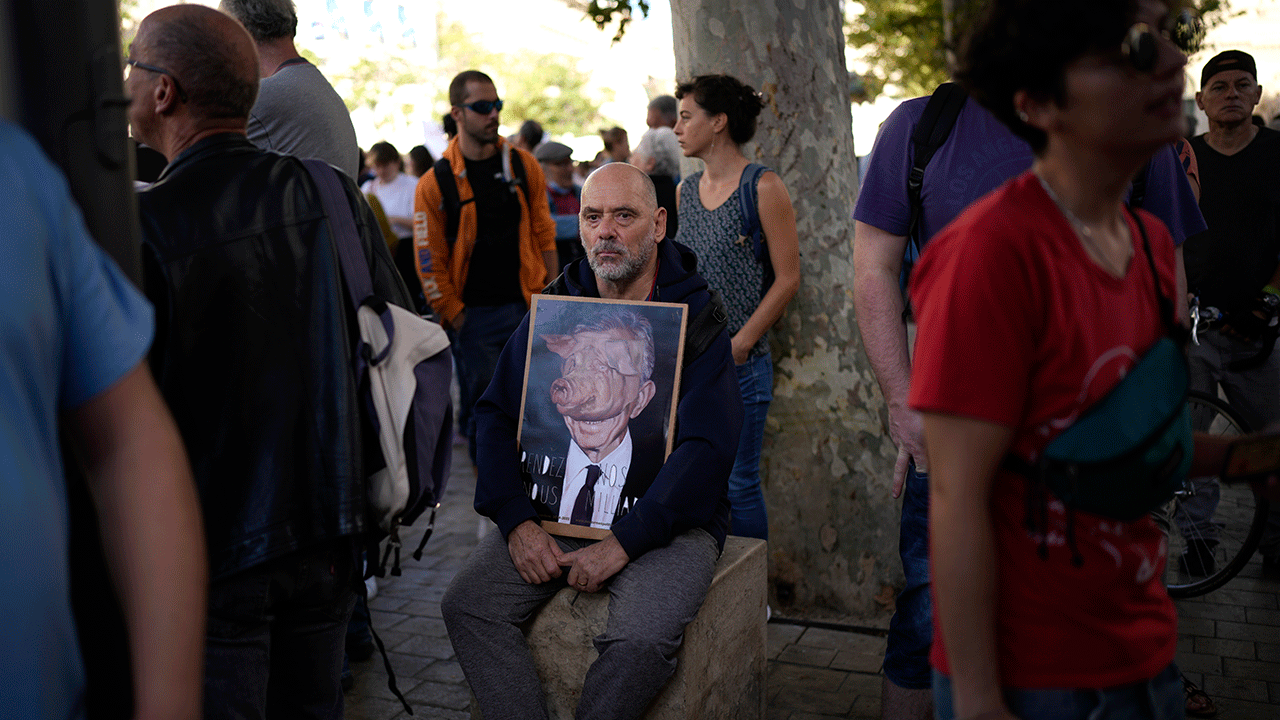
(276, 637)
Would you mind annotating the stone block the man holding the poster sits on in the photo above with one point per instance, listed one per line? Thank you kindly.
(721, 666)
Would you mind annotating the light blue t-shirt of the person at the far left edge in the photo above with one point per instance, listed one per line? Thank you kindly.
(71, 326)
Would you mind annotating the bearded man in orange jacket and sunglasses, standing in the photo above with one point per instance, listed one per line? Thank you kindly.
(483, 215)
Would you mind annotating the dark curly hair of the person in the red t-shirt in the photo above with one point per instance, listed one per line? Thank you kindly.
(1027, 45)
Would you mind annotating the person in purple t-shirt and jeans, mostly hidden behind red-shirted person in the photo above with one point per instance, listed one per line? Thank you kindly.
(979, 157)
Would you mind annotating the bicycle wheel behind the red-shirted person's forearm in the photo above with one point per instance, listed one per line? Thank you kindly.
(1213, 528)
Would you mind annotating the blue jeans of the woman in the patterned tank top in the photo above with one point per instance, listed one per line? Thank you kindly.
(747, 500)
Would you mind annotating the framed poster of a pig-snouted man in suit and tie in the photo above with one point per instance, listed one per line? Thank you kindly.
(598, 409)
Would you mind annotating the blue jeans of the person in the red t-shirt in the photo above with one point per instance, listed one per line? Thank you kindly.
(1158, 699)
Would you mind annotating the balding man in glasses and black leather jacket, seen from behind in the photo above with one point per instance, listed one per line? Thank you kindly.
(253, 354)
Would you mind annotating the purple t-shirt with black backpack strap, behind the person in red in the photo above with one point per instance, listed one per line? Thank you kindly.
(979, 157)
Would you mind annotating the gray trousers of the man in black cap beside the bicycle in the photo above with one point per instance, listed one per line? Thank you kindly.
(1256, 395)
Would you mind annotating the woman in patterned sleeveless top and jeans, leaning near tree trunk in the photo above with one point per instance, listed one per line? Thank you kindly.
(717, 116)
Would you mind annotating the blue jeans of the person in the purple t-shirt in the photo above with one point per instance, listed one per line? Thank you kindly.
(911, 632)
